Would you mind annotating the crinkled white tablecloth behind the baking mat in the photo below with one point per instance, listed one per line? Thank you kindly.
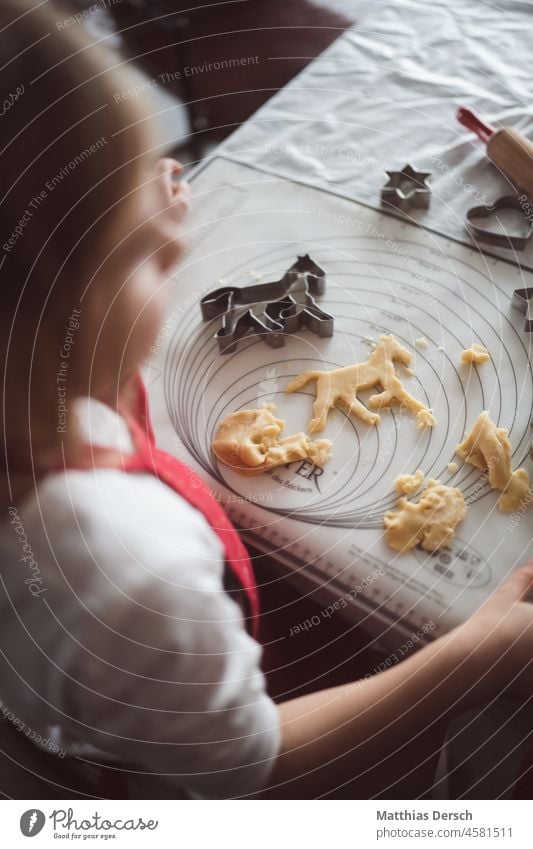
(386, 93)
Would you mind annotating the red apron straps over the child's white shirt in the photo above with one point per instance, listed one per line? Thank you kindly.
(175, 474)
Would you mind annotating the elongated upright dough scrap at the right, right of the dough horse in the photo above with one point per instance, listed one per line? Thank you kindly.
(487, 447)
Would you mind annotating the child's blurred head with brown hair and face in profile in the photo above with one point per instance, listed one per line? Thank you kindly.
(81, 218)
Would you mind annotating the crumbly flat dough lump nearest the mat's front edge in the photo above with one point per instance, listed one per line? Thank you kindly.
(430, 521)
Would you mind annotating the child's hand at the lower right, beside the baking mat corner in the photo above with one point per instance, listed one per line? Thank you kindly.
(497, 641)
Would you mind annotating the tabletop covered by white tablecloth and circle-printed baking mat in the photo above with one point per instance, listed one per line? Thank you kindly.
(304, 175)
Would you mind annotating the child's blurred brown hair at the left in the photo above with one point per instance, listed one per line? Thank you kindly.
(69, 158)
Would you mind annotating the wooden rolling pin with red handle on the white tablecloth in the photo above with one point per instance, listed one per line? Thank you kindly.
(510, 151)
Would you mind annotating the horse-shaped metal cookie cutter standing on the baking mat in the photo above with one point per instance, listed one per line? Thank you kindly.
(270, 309)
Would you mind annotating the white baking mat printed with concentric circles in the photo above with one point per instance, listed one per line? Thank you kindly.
(385, 275)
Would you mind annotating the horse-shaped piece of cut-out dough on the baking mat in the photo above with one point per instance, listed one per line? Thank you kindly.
(339, 387)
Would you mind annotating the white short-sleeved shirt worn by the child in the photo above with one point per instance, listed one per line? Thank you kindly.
(117, 639)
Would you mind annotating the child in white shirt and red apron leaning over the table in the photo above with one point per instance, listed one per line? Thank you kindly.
(127, 600)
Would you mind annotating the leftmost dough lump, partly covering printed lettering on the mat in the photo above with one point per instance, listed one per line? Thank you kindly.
(249, 442)
